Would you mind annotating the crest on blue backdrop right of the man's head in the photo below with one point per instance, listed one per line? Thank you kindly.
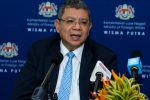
(125, 12)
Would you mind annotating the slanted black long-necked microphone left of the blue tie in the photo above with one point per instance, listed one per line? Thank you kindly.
(40, 92)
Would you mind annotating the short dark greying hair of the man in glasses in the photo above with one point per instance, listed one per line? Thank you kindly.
(77, 4)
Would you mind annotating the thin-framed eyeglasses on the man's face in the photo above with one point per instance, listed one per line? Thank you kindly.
(72, 22)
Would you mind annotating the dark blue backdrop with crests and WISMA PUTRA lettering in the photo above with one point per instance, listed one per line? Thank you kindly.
(122, 25)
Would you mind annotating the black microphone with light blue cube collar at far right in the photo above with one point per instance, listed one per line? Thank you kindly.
(134, 64)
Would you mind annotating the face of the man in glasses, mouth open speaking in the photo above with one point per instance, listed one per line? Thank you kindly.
(73, 27)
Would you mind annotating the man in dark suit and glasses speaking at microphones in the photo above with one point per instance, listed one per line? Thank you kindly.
(73, 25)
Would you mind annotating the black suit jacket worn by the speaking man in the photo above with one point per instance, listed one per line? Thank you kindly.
(39, 61)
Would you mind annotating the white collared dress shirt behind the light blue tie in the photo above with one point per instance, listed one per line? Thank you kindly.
(76, 61)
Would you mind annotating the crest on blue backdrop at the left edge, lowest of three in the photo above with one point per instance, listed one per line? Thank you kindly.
(8, 50)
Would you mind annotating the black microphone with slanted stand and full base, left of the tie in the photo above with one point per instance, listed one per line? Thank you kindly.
(44, 91)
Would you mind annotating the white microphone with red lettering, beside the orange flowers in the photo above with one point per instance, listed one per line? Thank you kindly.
(99, 74)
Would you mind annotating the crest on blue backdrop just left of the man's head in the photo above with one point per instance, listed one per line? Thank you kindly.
(47, 9)
